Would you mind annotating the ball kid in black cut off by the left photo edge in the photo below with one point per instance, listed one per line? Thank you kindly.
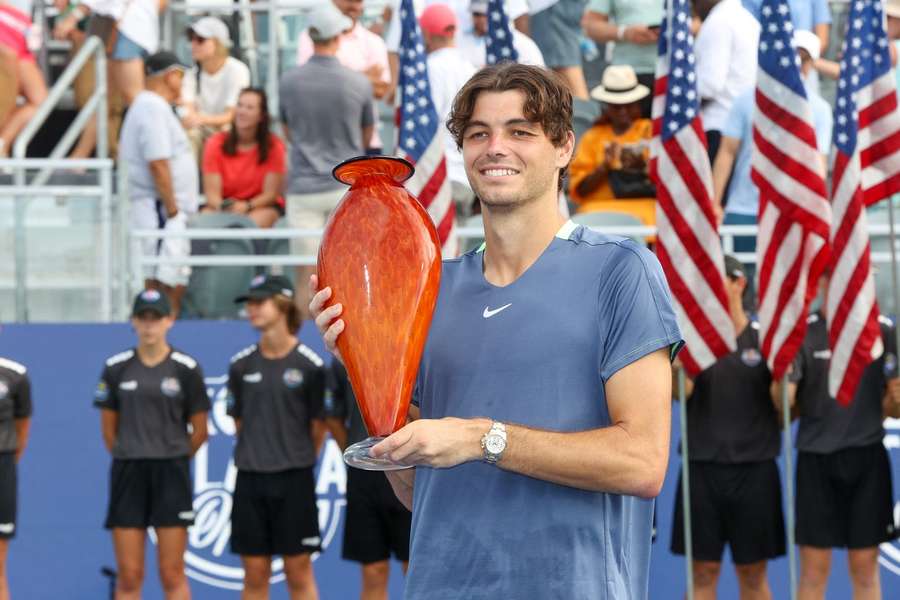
(15, 418)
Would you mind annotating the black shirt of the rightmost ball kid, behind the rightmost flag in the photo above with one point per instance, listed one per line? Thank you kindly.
(825, 425)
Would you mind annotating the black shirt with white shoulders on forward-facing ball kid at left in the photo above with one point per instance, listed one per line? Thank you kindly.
(154, 404)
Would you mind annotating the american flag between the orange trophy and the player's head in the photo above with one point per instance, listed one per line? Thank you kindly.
(420, 138)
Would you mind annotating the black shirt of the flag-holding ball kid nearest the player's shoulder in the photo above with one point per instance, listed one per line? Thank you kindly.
(731, 418)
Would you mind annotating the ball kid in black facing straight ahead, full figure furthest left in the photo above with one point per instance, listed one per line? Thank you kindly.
(153, 405)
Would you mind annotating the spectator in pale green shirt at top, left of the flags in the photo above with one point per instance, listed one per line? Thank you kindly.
(633, 26)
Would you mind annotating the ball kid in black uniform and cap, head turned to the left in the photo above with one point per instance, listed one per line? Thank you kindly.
(276, 388)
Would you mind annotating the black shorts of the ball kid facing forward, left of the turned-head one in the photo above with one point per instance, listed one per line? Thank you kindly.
(150, 492)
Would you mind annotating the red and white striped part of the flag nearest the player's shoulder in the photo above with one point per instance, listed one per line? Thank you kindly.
(688, 244)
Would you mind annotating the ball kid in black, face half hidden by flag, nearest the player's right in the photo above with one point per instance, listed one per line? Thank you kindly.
(733, 439)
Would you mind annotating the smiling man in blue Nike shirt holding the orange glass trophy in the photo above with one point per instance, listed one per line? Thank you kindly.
(544, 388)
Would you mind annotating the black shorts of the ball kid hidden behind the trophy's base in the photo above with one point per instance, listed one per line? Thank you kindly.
(377, 523)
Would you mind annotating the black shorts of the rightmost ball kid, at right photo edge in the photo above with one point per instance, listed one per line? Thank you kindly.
(845, 499)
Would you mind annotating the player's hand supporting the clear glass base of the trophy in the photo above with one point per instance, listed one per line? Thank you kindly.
(440, 443)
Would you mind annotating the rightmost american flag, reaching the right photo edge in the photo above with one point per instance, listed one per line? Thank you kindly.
(866, 170)
